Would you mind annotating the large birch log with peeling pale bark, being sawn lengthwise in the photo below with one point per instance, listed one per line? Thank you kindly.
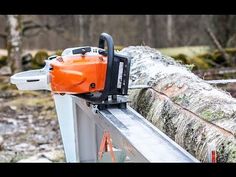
(193, 113)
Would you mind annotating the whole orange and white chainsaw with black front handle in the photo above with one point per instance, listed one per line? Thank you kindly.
(95, 74)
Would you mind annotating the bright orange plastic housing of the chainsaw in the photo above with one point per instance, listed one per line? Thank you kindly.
(78, 74)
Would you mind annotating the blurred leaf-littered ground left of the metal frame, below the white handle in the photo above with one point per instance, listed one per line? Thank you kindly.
(29, 129)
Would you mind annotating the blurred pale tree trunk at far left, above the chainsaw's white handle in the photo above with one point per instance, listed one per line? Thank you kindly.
(14, 42)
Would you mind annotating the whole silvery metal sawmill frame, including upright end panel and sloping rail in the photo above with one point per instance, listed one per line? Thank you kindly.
(82, 128)
